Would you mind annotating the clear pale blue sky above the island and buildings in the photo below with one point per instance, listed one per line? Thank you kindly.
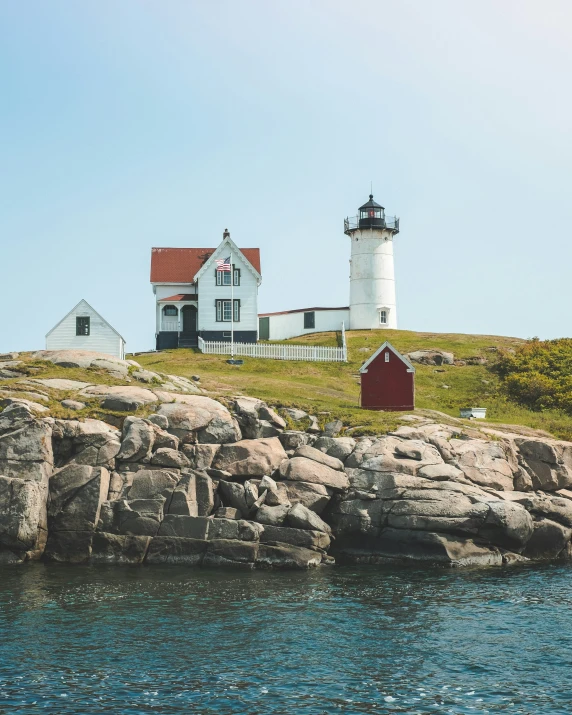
(131, 124)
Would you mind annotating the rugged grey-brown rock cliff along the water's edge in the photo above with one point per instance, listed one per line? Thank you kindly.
(200, 484)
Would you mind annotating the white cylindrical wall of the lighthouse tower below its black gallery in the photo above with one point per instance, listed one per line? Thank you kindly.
(372, 279)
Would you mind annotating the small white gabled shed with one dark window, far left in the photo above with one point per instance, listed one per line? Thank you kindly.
(83, 328)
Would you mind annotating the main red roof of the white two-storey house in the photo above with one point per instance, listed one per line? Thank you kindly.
(180, 265)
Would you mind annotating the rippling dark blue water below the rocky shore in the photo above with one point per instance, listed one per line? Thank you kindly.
(345, 640)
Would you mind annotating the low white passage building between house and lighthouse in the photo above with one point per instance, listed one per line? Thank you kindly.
(291, 323)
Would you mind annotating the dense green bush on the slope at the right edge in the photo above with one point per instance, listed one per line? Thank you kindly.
(538, 374)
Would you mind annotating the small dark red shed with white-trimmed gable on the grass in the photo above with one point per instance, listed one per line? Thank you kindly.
(387, 381)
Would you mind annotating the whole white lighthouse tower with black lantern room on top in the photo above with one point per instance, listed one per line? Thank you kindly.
(372, 275)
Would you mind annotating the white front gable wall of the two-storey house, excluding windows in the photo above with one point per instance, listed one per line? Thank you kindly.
(246, 292)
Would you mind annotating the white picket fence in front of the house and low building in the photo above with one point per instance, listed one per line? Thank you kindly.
(312, 353)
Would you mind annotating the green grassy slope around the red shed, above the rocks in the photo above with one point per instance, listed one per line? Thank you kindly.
(333, 388)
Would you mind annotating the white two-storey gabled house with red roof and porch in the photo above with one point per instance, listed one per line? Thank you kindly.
(194, 299)
